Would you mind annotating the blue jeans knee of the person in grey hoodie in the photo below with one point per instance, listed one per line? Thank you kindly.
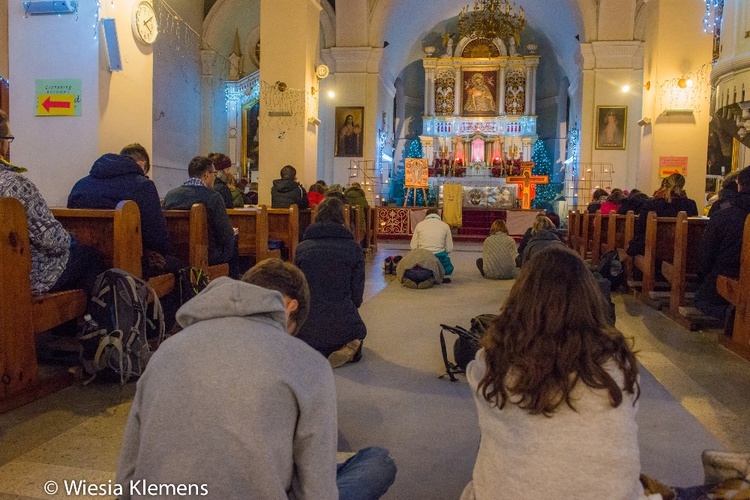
(367, 475)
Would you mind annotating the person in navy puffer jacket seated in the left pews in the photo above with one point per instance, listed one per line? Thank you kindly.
(114, 178)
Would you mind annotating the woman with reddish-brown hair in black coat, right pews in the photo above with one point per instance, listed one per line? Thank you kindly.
(668, 201)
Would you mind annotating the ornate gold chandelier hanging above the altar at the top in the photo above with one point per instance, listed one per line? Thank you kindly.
(491, 19)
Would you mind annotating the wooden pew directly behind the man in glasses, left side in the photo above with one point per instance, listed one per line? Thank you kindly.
(188, 239)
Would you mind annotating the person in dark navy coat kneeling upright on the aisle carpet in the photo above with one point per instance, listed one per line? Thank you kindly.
(334, 266)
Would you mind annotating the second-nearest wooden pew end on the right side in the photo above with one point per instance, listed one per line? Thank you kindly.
(682, 271)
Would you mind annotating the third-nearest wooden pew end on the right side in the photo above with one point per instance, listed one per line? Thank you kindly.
(659, 240)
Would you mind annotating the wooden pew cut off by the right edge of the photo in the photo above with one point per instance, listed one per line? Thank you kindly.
(737, 292)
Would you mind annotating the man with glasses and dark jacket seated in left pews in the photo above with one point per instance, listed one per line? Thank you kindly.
(222, 243)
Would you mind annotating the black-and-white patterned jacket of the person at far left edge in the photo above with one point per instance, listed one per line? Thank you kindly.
(49, 241)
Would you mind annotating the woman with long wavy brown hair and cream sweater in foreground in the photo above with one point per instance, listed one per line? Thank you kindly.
(556, 389)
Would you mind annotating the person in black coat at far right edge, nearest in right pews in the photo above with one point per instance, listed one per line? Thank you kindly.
(721, 248)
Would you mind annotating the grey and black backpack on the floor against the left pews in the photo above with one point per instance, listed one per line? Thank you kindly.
(120, 323)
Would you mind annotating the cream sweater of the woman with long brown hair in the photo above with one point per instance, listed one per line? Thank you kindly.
(590, 453)
